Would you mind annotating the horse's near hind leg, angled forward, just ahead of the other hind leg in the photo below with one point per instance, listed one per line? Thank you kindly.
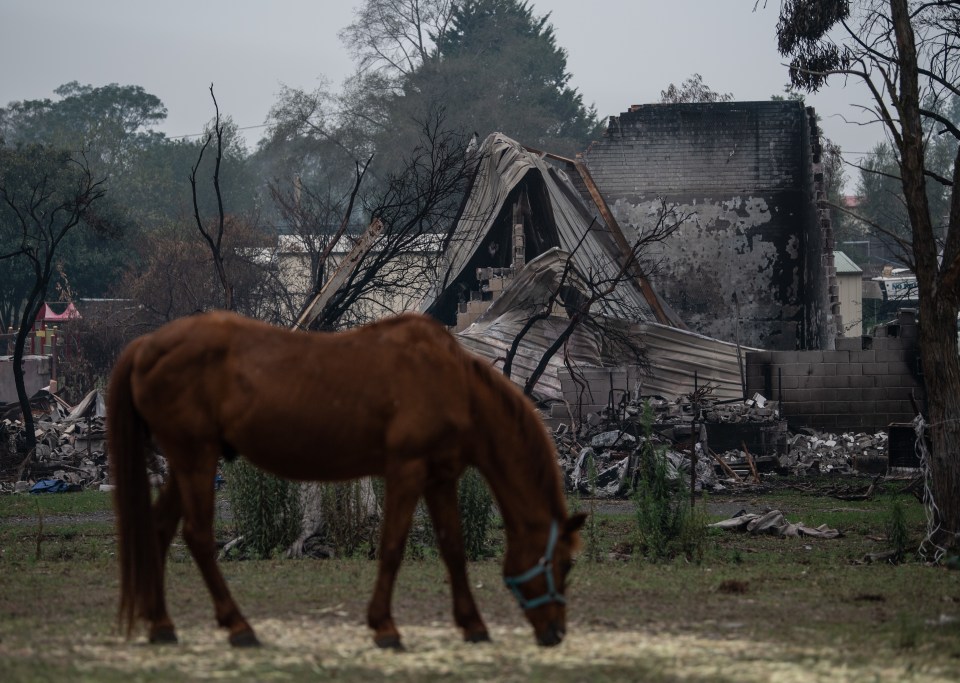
(196, 490)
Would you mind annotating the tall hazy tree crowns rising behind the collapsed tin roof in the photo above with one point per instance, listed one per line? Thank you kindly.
(490, 65)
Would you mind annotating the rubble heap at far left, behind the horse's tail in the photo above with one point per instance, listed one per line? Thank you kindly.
(71, 444)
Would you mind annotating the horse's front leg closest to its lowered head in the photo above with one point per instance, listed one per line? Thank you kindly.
(442, 503)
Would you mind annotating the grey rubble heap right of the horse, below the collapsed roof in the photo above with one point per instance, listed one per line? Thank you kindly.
(736, 444)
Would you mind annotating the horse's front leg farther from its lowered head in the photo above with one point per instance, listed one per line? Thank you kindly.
(403, 489)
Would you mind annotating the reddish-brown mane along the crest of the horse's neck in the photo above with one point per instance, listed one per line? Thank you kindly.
(516, 409)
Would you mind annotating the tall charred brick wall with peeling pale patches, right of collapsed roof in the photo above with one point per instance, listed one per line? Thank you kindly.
(751, 247)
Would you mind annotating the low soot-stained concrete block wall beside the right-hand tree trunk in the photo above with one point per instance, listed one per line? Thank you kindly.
(864, 385)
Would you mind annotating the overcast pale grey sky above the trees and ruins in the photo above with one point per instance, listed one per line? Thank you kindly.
(620, 52)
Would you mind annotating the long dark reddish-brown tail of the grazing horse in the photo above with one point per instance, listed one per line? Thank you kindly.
(127, 434)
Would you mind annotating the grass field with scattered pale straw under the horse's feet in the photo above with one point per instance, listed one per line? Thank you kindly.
(755, 609)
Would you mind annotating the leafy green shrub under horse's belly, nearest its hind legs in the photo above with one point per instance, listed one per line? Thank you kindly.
(266, 509)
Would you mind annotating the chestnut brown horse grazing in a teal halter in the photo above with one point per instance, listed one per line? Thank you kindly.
(399, 399)
